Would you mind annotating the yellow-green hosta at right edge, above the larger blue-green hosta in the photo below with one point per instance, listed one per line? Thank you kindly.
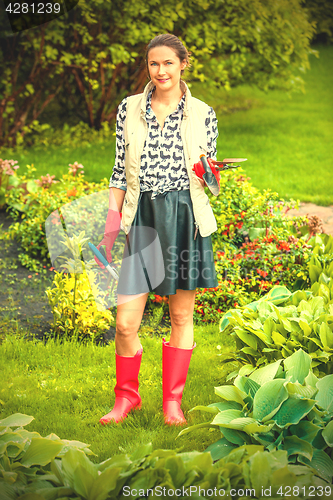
(282, 322)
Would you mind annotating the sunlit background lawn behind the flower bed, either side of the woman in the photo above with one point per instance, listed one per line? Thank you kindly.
(286, 138)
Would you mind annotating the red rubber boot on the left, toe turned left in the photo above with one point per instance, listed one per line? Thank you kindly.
(127, 388)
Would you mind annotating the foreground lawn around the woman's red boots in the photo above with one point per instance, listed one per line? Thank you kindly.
(67, 387)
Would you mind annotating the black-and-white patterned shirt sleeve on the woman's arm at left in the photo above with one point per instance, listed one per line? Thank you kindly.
(118, 177)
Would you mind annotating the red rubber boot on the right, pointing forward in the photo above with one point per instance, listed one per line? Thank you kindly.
(175, 363)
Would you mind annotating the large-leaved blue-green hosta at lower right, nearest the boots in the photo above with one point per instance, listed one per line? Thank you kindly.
(282, 406)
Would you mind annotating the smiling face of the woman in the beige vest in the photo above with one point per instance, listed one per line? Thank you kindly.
(165, 68)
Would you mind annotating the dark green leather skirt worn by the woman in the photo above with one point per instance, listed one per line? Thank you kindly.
(163, 253)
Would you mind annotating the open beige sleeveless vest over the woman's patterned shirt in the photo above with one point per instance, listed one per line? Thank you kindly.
(194, 138)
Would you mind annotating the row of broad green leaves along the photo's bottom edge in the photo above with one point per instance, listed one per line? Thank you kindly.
(51, 468)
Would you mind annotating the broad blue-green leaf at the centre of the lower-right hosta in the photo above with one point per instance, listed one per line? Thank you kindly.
(268, 399)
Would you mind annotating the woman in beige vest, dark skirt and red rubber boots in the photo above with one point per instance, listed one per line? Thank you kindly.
(160, 135)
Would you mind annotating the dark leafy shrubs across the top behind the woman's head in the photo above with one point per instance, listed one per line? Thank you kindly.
(93, 57)
